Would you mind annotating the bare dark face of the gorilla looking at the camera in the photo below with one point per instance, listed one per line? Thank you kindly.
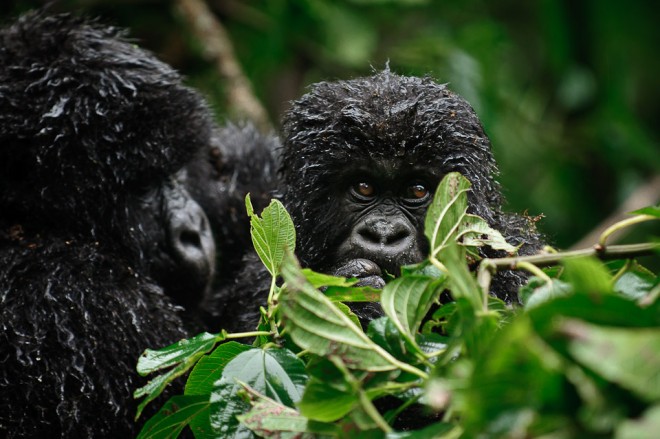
(384, 207)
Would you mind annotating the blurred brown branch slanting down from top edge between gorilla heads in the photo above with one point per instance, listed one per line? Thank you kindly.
(219, 50)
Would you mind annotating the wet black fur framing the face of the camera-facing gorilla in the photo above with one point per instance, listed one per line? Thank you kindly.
(397, 121)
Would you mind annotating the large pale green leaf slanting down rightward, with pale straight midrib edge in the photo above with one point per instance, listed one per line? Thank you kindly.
(317, 325)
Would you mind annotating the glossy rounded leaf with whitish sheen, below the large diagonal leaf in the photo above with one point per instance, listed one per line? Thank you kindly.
(276, 373)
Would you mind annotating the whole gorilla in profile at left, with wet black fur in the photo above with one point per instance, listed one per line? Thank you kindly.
(96, 231)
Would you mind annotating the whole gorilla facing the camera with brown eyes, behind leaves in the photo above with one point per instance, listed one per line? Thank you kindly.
(360, 161)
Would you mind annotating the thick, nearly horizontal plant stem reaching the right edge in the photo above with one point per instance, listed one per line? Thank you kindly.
(603, 253)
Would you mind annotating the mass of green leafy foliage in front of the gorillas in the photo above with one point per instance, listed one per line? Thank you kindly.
(580, 359)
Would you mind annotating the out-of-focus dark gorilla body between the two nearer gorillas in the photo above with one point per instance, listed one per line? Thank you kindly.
(238, 161)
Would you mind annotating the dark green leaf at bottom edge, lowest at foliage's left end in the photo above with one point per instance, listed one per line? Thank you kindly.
(172, 418)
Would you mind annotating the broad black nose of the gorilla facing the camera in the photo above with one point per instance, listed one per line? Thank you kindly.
(385, 235)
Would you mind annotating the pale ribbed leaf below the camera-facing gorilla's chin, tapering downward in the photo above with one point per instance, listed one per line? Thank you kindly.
(407, 300)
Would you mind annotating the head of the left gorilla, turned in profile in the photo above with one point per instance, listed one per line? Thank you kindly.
(91, 134)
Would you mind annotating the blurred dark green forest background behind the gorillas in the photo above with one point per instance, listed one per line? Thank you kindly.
(568, 91)
